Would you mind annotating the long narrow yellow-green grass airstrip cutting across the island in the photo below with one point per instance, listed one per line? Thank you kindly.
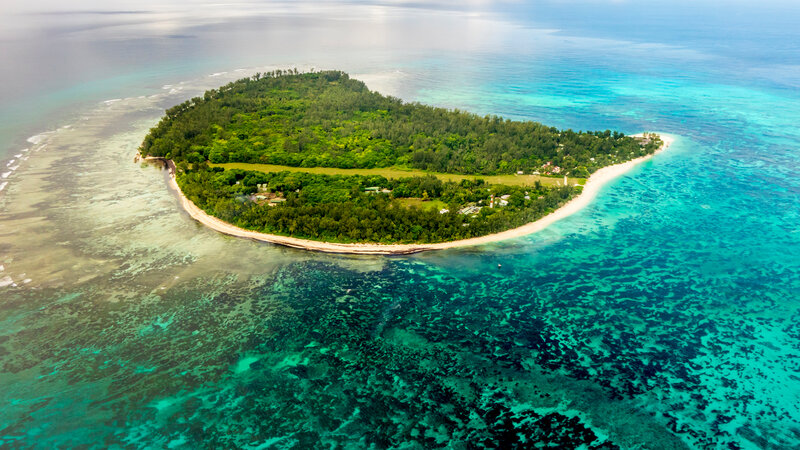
(395, 172)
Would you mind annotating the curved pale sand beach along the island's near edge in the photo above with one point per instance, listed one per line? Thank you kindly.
(590, 189)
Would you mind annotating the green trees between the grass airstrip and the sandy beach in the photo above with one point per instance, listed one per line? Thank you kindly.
(336, 208)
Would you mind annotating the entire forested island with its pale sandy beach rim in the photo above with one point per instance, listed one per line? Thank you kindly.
(317, 160)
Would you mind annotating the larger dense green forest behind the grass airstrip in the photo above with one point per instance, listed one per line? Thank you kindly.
(326, 119)
